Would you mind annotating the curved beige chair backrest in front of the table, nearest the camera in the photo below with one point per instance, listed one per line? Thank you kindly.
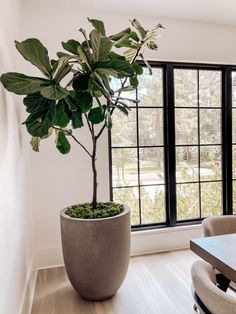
(204, 283)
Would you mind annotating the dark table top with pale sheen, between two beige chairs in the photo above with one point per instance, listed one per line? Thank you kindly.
(219, 251)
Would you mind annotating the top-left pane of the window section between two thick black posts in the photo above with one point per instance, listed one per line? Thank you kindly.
(185, 88)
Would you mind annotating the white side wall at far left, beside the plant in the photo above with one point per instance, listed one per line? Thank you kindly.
(16, 252)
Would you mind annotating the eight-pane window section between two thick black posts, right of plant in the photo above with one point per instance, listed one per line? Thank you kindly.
(198, 120)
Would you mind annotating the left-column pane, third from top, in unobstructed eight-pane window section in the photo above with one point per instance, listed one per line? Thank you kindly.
(187, 164)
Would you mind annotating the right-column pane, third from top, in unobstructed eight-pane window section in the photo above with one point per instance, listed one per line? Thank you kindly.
(210, 157)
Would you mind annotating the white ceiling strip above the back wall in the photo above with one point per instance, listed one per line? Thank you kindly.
(209, 11)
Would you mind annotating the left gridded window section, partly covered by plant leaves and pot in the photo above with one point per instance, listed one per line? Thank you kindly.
(138, 175)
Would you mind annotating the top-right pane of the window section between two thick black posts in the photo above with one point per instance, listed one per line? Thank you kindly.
(209, 88)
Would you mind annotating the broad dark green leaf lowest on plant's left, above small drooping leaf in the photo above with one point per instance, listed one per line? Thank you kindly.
(38, 124)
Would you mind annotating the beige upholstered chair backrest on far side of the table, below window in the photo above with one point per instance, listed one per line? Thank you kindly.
(218, 225)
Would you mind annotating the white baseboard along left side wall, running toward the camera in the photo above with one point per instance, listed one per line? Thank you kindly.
(28, 294)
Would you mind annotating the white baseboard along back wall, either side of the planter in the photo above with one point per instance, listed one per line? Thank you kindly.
(142, 242)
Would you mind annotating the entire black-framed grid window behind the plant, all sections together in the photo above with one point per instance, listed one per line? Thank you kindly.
(171, 159)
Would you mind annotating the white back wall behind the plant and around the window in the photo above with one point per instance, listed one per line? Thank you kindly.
(62, 180)
